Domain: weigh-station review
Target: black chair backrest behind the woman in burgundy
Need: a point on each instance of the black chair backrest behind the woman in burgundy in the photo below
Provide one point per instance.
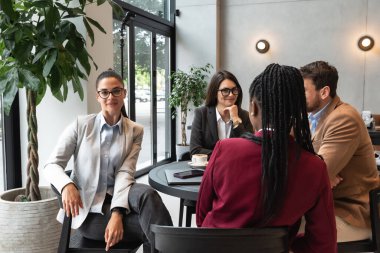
(219, 240)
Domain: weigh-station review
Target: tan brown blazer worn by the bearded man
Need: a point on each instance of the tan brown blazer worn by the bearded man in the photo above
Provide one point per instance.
(342, 139)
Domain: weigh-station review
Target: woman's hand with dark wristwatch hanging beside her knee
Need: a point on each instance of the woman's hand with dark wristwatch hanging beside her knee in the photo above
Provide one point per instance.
(114, 230)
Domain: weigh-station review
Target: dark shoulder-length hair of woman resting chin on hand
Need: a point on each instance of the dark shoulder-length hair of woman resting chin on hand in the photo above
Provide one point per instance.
(213, 87)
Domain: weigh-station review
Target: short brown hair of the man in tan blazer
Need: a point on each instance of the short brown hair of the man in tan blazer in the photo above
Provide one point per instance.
(322, 74)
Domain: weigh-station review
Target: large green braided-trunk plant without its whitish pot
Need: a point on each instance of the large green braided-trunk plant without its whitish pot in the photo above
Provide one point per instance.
(41, 48)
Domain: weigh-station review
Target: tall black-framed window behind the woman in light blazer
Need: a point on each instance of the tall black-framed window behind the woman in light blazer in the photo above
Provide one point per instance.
(145, 62)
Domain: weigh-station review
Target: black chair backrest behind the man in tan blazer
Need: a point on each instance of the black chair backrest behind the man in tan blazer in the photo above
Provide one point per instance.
(374, 201)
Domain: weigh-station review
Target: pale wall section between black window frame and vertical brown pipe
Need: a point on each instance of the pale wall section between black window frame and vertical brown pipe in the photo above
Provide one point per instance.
(197, 40)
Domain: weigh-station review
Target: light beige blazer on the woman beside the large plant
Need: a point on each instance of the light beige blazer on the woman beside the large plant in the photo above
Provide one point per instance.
(81, 139)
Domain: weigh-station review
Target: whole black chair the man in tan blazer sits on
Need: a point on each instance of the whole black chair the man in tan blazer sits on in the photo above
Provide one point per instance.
(369, 245)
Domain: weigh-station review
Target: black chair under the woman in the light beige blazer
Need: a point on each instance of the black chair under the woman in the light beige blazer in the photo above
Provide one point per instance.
(78, 243)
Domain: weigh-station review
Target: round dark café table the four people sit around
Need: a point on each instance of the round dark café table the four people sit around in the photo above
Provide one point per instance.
(188, 194)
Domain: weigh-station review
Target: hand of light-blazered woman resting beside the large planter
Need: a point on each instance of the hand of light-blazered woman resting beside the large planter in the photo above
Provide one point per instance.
(71, 200)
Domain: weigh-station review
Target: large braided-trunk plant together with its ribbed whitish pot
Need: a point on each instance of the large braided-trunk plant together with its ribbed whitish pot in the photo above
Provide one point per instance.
(40, 48)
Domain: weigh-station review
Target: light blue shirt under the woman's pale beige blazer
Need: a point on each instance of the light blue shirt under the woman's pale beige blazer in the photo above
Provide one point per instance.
(110, 155)
